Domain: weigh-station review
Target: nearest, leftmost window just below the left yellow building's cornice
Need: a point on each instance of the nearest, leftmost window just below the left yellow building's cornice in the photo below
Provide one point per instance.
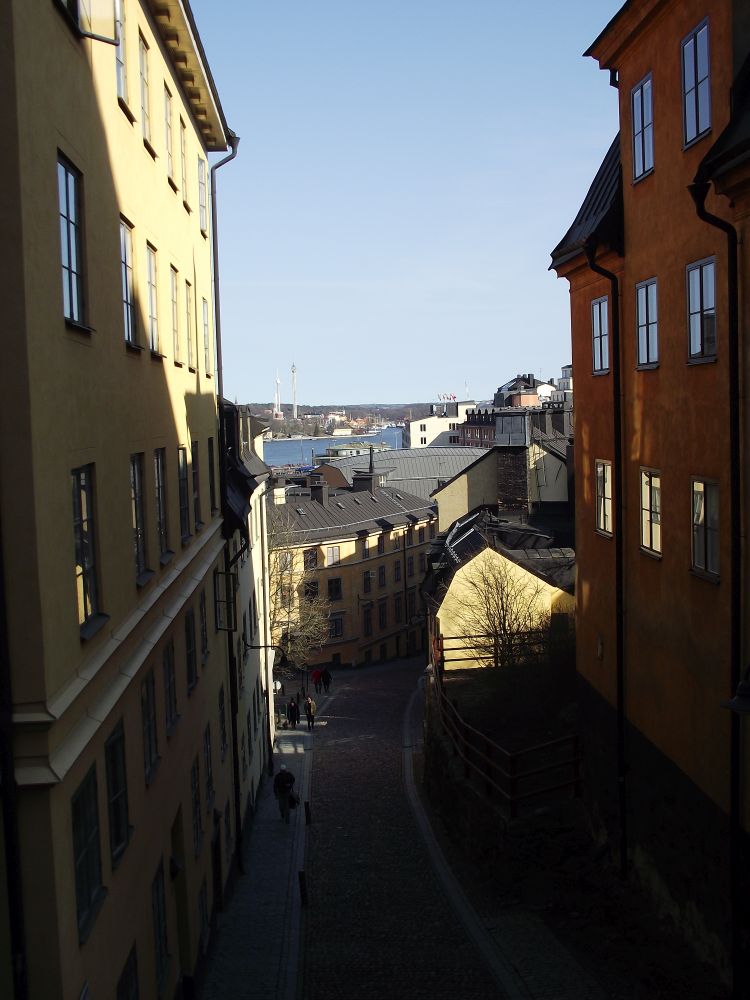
(87, 852)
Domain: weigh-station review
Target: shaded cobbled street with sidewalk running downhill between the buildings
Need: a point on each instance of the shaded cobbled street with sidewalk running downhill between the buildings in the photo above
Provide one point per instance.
(384, 916)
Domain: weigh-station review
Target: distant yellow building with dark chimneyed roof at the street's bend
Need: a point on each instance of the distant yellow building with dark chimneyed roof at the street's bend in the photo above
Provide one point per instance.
(364, 548)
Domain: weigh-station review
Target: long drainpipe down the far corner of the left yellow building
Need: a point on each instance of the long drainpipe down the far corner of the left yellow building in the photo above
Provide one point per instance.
(234, 142)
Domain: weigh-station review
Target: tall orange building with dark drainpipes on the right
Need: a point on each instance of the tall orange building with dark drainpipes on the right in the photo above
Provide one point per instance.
(651, 261)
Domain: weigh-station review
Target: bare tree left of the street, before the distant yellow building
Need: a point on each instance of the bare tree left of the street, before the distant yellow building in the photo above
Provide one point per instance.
(299, 613)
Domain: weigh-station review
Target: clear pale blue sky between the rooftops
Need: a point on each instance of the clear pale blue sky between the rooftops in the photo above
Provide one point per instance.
(405, 169)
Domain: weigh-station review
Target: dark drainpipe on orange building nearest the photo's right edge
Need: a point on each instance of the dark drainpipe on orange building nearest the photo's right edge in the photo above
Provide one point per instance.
(699, 191)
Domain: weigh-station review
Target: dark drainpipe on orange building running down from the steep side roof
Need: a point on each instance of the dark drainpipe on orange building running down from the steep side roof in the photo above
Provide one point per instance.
(590, 250)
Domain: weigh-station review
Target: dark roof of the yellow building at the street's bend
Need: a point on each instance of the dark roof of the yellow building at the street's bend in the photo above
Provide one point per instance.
(352, 513)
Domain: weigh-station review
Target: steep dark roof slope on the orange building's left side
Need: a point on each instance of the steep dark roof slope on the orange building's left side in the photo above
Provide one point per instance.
(600, 216)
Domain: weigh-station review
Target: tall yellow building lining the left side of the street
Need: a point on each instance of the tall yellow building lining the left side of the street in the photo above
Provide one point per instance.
(119, 828)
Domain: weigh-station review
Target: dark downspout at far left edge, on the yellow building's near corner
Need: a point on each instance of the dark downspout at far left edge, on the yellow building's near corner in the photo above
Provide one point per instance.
(10, 808)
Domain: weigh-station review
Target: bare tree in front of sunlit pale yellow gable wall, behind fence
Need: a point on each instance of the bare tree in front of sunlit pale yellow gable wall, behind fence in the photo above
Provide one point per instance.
(501, 614)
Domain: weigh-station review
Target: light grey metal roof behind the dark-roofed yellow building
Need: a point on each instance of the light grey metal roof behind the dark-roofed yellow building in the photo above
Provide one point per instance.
(418, 471)
